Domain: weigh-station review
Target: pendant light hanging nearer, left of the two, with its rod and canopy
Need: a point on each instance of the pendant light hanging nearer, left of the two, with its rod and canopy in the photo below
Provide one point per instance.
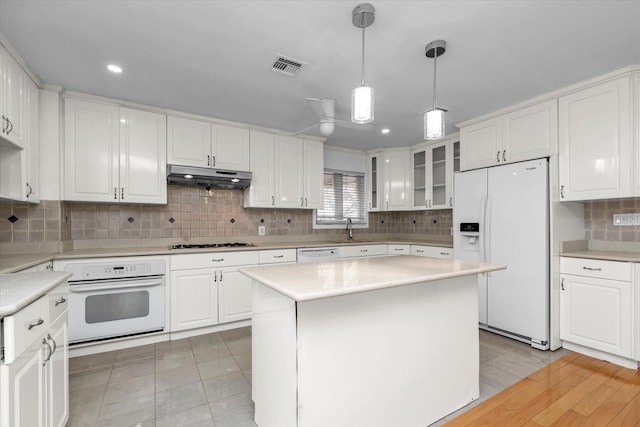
(362, 16)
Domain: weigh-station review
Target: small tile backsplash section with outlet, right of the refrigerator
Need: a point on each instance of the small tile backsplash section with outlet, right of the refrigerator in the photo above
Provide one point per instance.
(598, 220)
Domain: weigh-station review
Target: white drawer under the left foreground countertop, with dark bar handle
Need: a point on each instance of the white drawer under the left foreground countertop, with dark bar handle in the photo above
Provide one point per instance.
(25, 327)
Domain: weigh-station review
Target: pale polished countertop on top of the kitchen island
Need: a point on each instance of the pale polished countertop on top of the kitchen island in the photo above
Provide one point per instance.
(305, 282)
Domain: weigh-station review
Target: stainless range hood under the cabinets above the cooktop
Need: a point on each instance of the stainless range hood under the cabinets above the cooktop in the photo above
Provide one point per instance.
(207, 178)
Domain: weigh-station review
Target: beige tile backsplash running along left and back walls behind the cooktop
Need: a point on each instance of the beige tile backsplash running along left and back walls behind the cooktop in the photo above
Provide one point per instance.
(189, 214)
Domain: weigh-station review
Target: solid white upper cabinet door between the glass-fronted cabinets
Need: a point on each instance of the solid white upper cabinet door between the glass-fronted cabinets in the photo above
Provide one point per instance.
(397, 180)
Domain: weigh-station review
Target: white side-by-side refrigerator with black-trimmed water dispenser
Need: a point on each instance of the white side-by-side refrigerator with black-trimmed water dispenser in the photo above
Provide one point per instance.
(501, 216)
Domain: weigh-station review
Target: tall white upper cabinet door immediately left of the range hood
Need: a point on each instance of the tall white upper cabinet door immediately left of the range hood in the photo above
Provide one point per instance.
(143, 157)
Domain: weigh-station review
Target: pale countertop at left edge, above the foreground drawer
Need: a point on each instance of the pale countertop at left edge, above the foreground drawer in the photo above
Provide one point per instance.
(20, 289)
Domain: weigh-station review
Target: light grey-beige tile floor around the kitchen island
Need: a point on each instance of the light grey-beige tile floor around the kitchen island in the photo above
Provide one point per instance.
(206, 381)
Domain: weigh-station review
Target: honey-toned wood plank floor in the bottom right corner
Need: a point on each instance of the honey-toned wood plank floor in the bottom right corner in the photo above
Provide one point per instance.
(576, 391)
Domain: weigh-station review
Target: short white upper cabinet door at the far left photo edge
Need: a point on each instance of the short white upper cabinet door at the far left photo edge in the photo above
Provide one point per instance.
(14, 100)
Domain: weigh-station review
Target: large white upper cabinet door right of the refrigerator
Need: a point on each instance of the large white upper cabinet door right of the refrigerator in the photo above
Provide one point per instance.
(595, 142)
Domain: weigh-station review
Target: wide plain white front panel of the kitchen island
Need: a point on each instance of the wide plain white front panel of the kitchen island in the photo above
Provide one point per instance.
(404, 356)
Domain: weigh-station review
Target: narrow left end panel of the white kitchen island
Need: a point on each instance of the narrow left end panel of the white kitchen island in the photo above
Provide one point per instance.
(273, 341)
